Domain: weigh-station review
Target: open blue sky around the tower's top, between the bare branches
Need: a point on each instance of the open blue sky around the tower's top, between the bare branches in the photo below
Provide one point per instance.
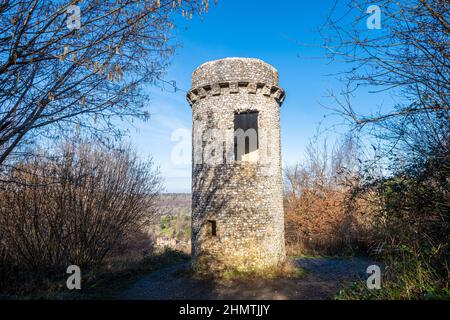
(268, 30)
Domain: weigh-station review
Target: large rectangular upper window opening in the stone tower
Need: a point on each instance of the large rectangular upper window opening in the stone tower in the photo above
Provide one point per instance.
(246, 136)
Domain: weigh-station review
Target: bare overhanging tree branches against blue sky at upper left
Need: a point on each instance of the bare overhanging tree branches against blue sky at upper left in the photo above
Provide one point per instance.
(79, 64)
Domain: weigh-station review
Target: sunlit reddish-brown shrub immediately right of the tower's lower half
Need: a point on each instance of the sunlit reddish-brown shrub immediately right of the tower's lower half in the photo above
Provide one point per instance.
(321, 215)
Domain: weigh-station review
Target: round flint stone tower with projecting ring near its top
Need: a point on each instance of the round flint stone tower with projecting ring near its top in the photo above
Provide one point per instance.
(237, 200)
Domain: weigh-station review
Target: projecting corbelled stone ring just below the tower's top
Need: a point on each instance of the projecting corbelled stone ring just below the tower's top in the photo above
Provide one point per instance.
(235, 87)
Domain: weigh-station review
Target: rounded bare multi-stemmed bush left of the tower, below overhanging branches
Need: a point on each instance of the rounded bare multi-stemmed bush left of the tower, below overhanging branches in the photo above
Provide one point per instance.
(75, 204)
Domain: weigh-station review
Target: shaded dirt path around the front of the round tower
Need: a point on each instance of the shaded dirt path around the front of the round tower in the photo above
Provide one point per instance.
(323, 278)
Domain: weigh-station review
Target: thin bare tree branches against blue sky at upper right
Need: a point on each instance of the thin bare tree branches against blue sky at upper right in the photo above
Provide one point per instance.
(409, 57)
